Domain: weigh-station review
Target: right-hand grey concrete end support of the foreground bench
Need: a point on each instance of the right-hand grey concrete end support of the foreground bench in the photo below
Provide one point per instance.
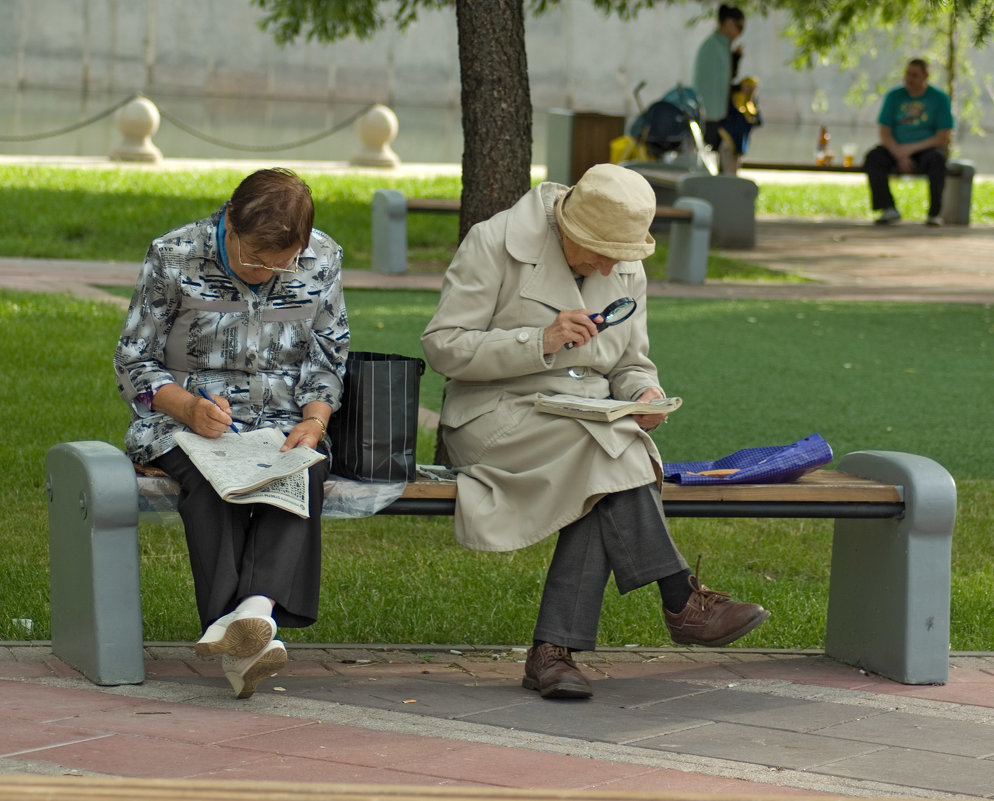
(888, 607)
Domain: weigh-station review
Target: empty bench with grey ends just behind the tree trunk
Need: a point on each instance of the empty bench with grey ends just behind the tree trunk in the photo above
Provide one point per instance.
(686, 261)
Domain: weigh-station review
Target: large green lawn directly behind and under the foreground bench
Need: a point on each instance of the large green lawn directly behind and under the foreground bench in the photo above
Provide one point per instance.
(863, 375)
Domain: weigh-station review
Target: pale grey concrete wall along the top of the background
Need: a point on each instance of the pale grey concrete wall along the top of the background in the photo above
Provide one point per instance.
(577, 58)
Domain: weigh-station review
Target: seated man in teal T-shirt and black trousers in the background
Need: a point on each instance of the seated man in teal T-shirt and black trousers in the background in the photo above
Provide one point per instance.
(916, 123)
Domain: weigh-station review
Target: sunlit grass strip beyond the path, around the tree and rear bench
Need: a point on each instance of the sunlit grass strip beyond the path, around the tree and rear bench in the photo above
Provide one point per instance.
(112, 214)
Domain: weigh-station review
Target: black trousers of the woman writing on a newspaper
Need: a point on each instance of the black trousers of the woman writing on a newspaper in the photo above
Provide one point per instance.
(237, 550)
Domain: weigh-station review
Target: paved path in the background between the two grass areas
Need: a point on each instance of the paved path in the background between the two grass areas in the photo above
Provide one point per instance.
(842, 260)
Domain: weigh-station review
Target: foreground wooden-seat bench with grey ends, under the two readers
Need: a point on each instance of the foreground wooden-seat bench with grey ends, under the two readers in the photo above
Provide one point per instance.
(889, 593)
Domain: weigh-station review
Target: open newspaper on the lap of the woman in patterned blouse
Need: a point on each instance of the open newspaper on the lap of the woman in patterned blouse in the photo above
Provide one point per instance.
(249, 468)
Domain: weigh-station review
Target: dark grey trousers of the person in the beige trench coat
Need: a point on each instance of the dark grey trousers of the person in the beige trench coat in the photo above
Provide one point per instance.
(625, 533)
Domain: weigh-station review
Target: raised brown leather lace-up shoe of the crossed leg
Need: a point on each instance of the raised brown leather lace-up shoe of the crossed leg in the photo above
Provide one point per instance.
(711, 618)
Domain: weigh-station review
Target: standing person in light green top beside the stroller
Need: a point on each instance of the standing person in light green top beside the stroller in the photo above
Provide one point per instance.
(714, 70)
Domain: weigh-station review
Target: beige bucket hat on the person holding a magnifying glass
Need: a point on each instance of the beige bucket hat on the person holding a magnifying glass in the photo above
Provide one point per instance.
(609, 212)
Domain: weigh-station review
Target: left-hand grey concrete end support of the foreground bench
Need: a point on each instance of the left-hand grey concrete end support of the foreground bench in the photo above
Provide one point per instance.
(93, 552)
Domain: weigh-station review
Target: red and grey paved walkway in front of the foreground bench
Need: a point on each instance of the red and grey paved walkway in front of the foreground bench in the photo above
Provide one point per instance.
(681, 721)
